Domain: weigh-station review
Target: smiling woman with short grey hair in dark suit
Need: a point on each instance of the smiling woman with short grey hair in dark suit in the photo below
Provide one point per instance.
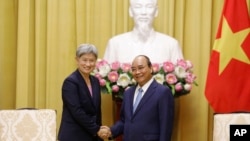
(81, 116)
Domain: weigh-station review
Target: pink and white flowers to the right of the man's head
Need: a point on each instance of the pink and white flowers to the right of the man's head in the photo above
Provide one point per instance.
(178, 77)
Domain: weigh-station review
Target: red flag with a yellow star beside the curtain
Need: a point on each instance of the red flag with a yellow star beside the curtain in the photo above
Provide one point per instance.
(228, 79)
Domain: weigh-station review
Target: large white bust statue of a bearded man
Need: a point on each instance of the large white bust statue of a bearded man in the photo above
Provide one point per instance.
(143, 39)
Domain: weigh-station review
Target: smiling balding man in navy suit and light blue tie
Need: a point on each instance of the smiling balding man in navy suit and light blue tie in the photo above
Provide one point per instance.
(152, 120)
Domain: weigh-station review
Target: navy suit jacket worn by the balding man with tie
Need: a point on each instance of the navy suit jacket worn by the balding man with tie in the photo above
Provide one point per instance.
(153, 118)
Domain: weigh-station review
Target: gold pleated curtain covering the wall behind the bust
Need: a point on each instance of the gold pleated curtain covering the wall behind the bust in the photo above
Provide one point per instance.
(38, 39)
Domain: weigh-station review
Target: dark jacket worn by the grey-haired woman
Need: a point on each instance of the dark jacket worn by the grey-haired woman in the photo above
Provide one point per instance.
(81, 116)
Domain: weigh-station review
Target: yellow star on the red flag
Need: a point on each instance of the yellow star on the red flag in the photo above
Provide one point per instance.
(229, 45)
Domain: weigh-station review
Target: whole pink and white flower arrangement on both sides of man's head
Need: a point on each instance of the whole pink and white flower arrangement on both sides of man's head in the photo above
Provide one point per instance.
(116, 77)
